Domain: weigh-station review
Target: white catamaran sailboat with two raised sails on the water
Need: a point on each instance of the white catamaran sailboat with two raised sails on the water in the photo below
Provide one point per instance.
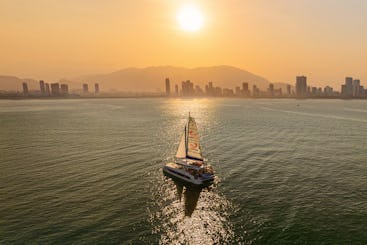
(189, 166)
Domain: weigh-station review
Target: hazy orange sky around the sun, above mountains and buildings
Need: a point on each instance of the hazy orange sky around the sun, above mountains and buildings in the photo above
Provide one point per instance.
(278, 39)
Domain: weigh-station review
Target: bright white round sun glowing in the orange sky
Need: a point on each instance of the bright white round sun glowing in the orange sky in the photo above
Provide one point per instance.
(190, 18)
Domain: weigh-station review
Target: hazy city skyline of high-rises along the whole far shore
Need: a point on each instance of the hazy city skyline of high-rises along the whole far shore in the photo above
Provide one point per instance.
(351, 89)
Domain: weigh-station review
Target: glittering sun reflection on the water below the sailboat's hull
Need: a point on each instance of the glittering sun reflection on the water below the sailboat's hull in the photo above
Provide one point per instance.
(191, 217)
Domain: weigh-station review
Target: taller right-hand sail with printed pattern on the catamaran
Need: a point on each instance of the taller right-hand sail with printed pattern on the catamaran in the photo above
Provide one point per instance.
(193, 144)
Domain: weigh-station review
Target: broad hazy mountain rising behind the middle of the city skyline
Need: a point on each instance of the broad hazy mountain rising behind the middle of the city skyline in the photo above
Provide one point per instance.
(152, 78)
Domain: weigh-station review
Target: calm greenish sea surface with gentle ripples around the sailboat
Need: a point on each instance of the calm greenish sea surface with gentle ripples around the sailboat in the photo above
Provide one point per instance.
(90, 171)
